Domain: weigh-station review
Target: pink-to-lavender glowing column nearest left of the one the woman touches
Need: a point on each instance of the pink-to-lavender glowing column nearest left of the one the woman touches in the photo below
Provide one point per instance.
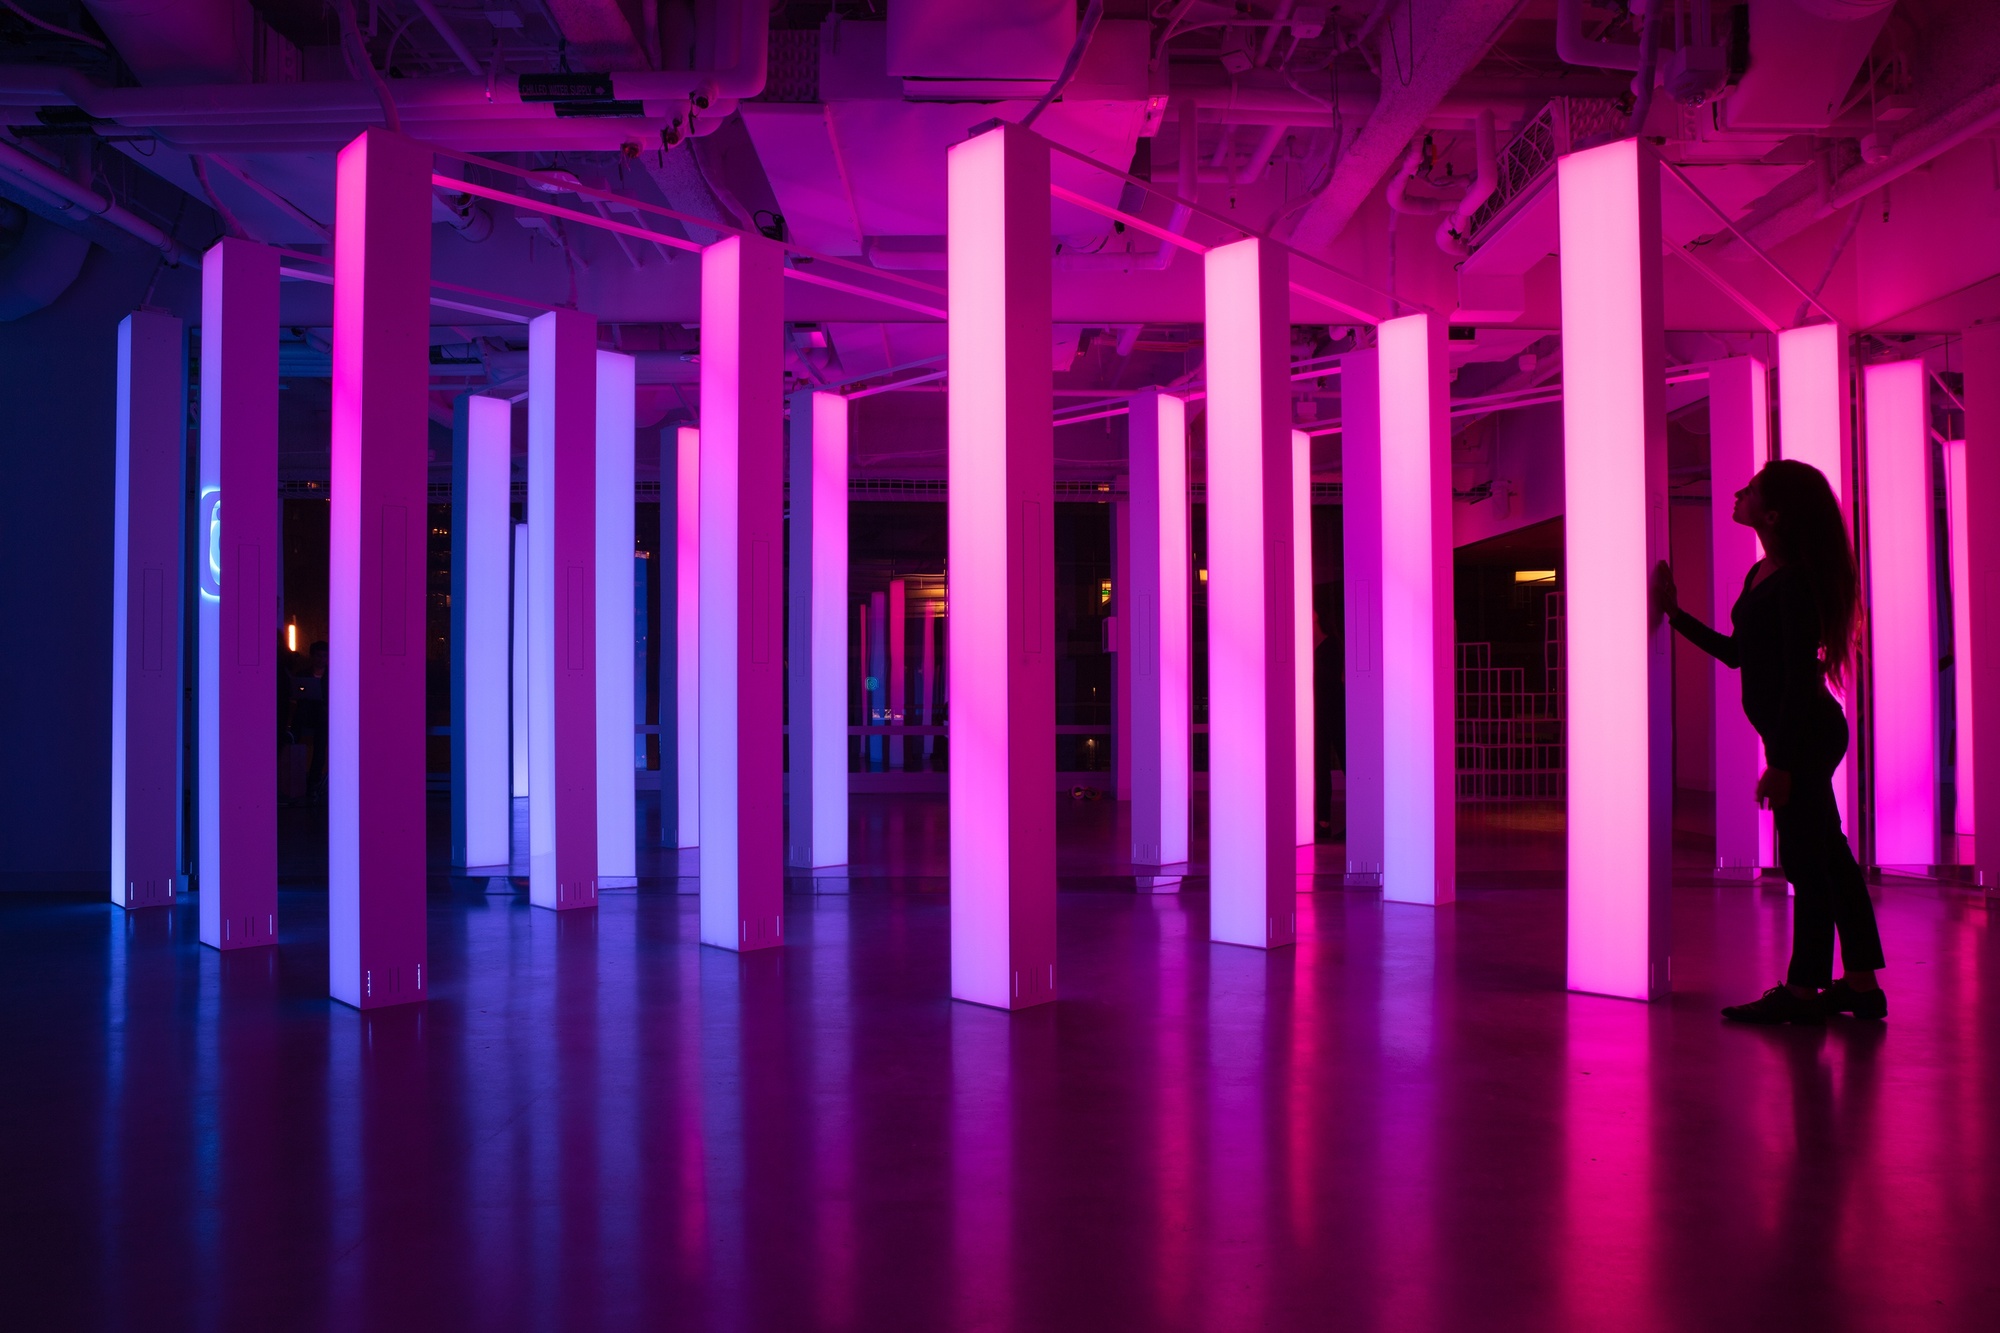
(1419, 772)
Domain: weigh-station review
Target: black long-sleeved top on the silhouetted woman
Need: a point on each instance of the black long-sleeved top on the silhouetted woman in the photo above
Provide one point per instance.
(1777, 647)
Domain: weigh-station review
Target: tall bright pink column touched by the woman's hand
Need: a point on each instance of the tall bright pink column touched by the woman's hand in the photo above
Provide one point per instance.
(1615, 475)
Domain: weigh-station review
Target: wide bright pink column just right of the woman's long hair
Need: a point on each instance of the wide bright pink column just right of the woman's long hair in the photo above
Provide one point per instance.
(1903, 613)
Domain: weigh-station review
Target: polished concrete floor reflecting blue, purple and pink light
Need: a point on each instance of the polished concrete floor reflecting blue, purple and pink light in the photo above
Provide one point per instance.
(1401, 1124)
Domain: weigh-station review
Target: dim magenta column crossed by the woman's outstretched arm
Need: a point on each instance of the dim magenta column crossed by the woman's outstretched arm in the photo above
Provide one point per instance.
(1739, 443)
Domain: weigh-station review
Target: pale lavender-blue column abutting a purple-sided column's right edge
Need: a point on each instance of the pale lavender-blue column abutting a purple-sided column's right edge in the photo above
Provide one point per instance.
(615, 613)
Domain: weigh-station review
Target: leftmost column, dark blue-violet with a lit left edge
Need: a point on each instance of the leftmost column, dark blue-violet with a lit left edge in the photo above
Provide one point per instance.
(147, 561)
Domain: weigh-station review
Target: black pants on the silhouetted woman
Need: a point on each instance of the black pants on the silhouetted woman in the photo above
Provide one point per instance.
(1827, 884)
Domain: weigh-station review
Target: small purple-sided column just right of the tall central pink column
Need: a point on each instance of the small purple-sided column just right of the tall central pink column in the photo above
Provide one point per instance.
(1157, 601)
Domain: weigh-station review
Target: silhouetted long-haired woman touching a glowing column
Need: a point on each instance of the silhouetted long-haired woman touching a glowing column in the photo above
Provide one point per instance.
(1795, 629)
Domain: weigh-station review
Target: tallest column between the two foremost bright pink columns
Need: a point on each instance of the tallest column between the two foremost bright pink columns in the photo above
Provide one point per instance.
(1253, 639)
